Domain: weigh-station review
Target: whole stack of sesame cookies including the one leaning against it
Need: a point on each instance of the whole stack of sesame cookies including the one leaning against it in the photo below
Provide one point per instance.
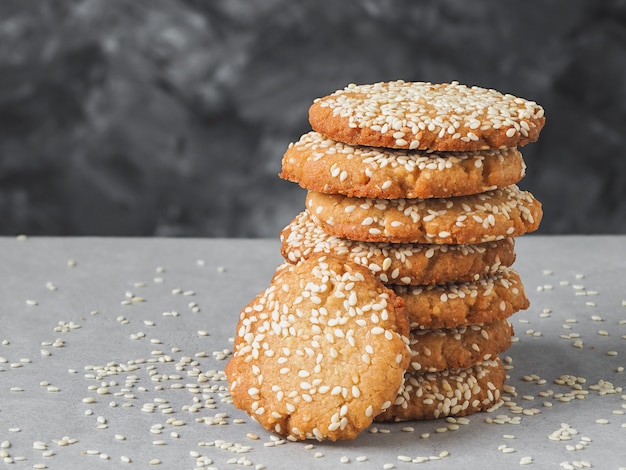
(414, 187)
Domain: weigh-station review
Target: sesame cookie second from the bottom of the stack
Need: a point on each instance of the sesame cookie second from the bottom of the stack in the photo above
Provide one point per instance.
(438, 349)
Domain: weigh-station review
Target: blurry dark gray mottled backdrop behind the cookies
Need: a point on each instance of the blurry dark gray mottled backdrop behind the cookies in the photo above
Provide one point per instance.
(170, 117)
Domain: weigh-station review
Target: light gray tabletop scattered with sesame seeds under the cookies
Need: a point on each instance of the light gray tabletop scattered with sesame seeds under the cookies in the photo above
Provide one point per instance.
(114, 348)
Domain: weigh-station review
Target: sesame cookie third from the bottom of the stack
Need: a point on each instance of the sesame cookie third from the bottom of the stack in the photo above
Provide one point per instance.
(494, 297)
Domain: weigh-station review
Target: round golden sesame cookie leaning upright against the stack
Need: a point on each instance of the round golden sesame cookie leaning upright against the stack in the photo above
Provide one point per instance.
(320, 352)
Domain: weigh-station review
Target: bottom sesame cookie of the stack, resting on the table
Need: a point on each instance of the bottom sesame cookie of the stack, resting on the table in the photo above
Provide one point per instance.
(451, 392)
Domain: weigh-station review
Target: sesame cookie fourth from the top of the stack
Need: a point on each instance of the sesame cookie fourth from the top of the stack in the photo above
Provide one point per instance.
(399, 263)
